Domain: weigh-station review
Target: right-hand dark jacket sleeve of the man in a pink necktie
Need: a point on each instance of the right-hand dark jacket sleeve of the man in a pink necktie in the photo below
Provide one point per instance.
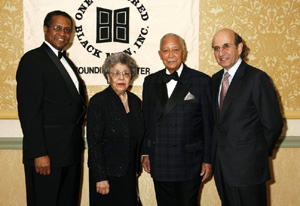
(266, 102)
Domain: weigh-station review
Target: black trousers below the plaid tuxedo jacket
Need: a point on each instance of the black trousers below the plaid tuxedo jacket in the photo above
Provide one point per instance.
(181, 193)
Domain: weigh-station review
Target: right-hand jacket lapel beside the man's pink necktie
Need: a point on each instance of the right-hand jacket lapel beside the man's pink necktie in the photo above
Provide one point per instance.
(234, 86)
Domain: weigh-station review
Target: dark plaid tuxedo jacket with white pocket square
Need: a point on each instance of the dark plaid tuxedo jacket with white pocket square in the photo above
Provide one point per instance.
(179, 128)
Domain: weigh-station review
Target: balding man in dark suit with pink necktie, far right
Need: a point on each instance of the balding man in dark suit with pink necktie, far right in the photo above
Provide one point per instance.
(247, 124)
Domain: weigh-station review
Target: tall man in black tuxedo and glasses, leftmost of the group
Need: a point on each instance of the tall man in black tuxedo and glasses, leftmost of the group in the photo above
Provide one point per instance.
(51, 105)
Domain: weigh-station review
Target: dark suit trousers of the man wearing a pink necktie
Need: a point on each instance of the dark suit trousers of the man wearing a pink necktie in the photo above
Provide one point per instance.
(238, 195)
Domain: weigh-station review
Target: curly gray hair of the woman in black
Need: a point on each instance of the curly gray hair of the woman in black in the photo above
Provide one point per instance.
(116, 58)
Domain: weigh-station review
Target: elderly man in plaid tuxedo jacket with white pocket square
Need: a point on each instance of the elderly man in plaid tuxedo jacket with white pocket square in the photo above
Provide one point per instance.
(178, 120)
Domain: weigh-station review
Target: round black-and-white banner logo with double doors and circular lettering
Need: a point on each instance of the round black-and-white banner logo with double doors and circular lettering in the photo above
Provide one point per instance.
(111, 31)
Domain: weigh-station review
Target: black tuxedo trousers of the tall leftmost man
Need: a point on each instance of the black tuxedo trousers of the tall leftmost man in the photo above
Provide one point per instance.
(60, 188)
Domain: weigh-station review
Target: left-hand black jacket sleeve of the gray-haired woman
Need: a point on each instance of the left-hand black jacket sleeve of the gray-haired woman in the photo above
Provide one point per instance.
(95, 129)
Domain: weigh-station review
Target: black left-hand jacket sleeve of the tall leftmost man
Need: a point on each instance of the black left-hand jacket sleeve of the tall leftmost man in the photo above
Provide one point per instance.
(30, 92)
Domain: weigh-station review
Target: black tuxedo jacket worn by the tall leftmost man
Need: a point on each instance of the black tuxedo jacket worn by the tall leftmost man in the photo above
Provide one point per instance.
(51, 110)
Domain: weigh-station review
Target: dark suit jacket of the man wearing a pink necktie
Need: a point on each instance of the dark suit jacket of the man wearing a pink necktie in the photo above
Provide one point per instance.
(247, 128)
